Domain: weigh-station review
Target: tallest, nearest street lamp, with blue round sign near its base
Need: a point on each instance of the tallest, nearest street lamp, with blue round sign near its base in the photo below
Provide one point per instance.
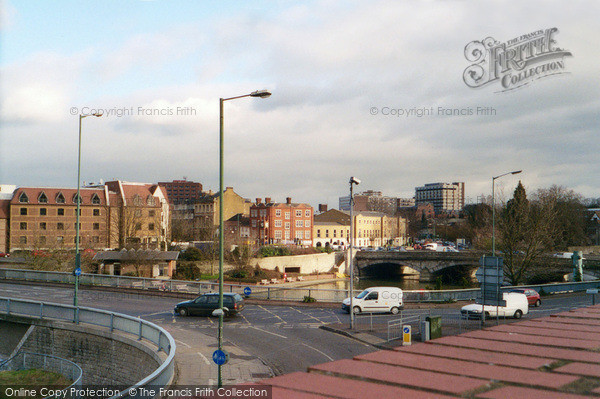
(261, 94)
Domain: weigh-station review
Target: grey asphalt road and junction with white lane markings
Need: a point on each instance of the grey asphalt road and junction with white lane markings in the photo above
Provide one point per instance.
(286, 338)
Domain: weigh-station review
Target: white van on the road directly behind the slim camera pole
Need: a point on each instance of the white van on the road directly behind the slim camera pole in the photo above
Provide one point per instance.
(376, 300)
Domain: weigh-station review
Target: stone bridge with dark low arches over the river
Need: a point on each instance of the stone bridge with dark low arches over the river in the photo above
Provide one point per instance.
(423, 265)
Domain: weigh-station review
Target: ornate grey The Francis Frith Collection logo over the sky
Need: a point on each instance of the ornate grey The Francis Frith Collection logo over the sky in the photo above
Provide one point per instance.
(516, 62)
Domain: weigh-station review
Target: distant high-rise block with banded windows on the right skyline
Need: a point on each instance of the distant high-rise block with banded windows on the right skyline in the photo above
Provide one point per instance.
(447, 198)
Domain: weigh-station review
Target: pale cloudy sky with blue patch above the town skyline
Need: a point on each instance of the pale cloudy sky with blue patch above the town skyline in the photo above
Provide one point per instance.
(341, 72)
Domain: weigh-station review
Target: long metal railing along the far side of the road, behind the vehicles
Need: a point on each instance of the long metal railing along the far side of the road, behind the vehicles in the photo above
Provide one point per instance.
(273, 292)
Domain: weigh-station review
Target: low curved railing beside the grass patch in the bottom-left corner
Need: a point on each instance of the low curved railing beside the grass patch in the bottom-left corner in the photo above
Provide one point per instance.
(64, 367)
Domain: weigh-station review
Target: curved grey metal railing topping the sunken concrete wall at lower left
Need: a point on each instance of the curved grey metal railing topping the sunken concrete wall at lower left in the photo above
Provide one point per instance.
(138, 327)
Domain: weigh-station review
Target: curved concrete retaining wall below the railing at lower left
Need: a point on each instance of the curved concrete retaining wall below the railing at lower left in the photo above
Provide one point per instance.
(105, 358)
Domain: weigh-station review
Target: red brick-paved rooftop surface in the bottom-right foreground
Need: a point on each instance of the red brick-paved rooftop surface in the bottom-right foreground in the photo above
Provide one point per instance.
(551, 357)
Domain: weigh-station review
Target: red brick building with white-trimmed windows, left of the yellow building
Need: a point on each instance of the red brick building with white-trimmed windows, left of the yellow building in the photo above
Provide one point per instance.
(281, 223)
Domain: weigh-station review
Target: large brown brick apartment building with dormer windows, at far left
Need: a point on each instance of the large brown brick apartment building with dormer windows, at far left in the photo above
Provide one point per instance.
(113, 215)
